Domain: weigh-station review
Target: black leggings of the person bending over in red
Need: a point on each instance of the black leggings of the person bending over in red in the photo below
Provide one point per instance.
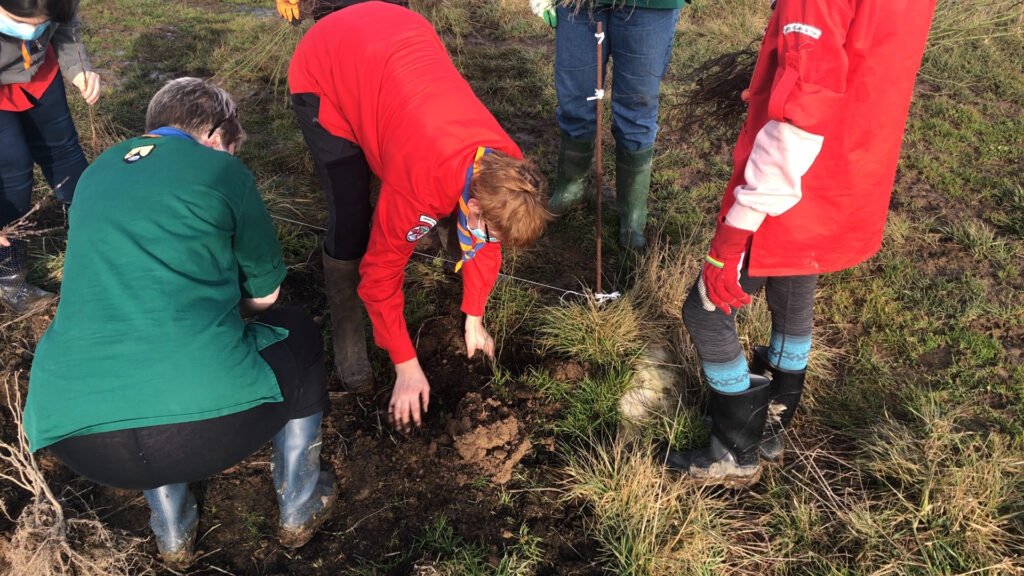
(345, 175)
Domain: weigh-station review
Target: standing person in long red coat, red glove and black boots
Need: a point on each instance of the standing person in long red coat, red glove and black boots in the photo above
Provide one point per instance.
(815, 170)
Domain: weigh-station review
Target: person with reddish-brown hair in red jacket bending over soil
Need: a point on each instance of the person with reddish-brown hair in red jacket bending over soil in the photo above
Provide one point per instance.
(375, 91)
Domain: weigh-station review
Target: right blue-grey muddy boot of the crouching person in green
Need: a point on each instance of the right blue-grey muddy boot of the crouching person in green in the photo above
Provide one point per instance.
(306, 493)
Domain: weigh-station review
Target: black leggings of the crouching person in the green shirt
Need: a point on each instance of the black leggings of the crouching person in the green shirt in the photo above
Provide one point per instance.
(153, 457)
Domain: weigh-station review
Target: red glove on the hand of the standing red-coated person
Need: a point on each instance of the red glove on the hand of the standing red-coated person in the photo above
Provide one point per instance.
(719, 285)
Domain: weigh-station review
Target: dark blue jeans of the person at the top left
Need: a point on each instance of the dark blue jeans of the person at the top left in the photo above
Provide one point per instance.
(44, 135)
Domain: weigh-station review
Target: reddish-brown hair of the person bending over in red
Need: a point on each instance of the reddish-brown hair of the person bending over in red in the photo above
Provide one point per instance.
(514, 199)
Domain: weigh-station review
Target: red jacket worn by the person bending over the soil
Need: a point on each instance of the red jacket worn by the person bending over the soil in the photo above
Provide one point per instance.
(387, 83)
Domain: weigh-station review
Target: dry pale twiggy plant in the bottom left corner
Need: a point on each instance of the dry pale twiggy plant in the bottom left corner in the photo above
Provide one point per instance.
(45, 542)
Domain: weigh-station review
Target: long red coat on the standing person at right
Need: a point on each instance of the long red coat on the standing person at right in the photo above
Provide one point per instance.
(843, 70)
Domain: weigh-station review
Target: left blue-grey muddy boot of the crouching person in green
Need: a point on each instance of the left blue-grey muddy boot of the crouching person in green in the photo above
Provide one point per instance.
(175, 520)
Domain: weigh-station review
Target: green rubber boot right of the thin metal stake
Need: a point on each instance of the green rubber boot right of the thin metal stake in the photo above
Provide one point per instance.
(632, 188)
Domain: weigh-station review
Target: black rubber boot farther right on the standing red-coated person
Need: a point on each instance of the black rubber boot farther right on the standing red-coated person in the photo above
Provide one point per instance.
(787, 389)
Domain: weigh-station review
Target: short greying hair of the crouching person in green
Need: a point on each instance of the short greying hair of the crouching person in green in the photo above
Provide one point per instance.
(197, 107)
